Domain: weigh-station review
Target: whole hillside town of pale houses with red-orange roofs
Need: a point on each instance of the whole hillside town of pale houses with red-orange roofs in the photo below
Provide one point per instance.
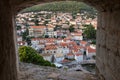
(51, 37)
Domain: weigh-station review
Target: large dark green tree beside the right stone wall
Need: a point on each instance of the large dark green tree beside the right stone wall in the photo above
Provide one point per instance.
(89, 32)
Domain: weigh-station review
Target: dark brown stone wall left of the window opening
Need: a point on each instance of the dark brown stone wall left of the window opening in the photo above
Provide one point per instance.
(7, 46)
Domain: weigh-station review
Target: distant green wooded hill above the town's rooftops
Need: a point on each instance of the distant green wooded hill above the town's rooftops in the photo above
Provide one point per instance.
(63, 6)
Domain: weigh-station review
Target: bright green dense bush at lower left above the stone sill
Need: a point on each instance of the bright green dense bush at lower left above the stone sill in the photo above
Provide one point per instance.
(29, 55)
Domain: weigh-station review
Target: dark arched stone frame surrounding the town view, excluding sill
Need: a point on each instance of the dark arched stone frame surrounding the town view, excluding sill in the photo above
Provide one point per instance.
(108, 43)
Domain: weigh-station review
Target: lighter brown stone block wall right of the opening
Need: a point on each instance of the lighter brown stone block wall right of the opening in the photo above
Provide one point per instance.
(108, 45)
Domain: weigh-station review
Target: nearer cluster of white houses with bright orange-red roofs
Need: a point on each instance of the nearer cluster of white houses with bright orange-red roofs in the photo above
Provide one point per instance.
(63, 50)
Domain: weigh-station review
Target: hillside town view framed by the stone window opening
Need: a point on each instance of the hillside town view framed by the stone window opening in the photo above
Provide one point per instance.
(58, 34)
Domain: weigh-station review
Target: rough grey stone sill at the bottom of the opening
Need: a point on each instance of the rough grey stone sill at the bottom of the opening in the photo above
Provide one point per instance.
(30, 71)
